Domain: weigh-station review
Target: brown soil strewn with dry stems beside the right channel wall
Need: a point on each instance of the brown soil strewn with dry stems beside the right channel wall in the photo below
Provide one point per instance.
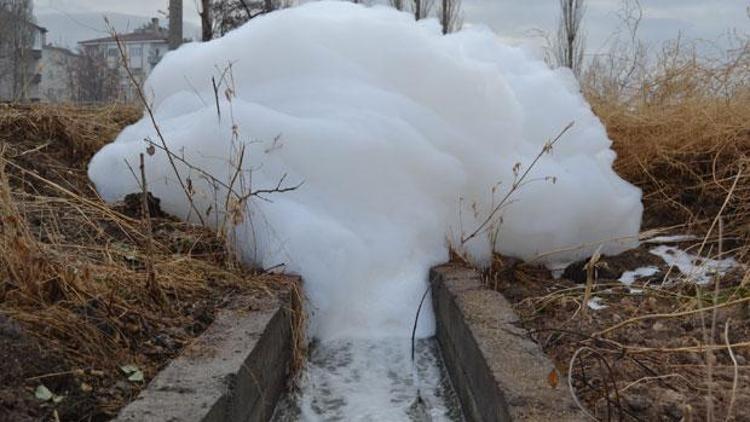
(631, 373)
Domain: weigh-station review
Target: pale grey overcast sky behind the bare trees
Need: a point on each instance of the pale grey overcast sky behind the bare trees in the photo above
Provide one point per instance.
(512, 19)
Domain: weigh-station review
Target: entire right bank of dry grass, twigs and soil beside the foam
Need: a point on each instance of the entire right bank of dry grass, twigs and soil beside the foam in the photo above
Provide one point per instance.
(674, 351)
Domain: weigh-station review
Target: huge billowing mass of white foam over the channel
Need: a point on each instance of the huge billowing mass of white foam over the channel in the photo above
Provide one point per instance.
(399, 134)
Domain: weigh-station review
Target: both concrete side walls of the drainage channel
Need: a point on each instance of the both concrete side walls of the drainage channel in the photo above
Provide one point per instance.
(237, 370)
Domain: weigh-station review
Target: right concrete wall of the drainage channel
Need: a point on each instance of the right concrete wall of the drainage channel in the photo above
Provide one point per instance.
(499, 373)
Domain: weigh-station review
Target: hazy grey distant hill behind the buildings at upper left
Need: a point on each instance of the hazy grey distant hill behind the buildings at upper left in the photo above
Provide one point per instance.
(66, 30)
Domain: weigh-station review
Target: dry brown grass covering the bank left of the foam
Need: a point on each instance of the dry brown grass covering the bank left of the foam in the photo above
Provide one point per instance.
(73, 270)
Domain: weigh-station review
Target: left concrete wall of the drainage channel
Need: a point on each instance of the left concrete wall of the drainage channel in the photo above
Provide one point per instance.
(234, 372)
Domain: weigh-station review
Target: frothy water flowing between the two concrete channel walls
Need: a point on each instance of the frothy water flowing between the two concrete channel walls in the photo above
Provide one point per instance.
(372, 380)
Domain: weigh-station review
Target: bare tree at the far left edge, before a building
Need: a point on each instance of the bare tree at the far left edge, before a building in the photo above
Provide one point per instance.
(17, 36)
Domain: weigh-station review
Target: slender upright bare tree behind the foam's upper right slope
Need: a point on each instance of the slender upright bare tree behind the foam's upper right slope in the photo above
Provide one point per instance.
(570, 43)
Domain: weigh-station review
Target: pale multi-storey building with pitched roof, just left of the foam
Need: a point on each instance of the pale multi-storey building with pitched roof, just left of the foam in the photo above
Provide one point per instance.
(144, 48)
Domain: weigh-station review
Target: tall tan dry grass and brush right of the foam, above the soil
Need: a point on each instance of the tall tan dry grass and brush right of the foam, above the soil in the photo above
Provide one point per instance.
(682, 135)
